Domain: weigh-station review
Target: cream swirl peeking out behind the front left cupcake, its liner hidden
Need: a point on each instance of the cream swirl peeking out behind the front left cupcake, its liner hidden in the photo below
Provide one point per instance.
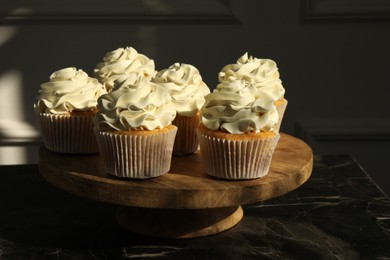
(123, 61)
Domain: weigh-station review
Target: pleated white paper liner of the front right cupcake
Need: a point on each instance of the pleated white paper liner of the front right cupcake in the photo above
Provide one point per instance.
(236, 159)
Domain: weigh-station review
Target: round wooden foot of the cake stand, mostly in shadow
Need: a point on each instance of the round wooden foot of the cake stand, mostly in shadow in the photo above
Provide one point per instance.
(178, 223)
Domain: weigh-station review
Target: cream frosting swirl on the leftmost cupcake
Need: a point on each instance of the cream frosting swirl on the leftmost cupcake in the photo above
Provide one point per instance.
(68, 90)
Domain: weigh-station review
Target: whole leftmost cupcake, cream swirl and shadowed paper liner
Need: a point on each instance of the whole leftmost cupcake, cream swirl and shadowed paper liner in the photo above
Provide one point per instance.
(66, 106)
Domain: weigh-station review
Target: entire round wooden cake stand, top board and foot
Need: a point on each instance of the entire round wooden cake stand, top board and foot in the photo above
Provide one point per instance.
(185, 202)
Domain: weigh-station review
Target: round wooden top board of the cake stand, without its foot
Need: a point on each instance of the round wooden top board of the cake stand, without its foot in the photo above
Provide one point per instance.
(186, 186)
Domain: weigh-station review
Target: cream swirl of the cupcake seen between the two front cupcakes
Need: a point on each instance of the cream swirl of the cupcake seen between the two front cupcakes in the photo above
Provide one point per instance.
(186, 87)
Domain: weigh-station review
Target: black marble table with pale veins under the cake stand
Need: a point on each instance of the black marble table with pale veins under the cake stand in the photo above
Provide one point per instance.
(339, 213)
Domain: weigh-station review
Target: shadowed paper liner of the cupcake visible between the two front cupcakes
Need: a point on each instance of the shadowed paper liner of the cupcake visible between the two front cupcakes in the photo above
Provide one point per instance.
(186, 141)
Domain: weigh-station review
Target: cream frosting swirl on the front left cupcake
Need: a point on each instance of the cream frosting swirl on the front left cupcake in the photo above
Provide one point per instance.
(135, 104)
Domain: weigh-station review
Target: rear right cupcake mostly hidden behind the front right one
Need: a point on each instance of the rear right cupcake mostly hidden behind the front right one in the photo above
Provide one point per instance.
(263, 74)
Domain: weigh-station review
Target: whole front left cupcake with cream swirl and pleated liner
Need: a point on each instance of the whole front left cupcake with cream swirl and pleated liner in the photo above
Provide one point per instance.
(134, 128)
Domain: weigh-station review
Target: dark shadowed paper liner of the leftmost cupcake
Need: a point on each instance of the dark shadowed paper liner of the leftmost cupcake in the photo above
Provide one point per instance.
(68, 133)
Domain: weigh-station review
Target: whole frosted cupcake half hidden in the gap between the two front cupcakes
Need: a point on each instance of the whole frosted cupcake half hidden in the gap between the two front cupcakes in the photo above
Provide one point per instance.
(187, 89)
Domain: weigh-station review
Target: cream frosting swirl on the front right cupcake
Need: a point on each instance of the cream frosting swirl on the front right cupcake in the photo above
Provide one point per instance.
(236, 107)
